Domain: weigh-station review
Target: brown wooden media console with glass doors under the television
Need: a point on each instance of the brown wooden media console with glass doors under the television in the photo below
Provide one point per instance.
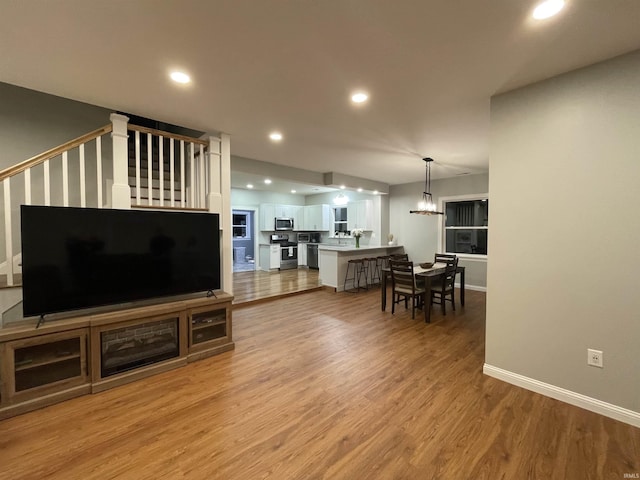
(70, 357)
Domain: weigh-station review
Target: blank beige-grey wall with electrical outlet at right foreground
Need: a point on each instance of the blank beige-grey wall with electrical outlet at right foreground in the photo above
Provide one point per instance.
(564, 262)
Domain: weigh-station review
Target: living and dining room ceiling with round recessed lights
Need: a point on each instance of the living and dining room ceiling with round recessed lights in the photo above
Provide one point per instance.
(429, 66)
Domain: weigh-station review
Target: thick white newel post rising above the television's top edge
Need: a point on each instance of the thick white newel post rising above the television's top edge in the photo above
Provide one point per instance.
(120, 190)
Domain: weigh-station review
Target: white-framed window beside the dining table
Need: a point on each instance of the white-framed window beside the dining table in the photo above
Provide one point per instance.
(466, 226)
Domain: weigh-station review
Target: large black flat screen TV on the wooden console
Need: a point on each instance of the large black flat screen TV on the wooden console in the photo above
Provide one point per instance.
(77, 258)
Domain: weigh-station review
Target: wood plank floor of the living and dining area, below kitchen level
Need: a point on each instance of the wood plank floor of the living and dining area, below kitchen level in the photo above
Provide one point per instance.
(324, 385)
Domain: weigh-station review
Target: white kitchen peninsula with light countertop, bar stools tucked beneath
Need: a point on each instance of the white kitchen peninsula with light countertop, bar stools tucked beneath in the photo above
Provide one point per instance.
(332, 260)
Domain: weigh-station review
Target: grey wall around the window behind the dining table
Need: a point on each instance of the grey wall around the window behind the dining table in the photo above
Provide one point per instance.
(421, 235)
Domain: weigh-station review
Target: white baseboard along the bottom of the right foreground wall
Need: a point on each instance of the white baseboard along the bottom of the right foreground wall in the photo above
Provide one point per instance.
(567, 396)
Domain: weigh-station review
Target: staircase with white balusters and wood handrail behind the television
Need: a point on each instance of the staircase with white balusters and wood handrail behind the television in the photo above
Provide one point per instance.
(138, 167)
